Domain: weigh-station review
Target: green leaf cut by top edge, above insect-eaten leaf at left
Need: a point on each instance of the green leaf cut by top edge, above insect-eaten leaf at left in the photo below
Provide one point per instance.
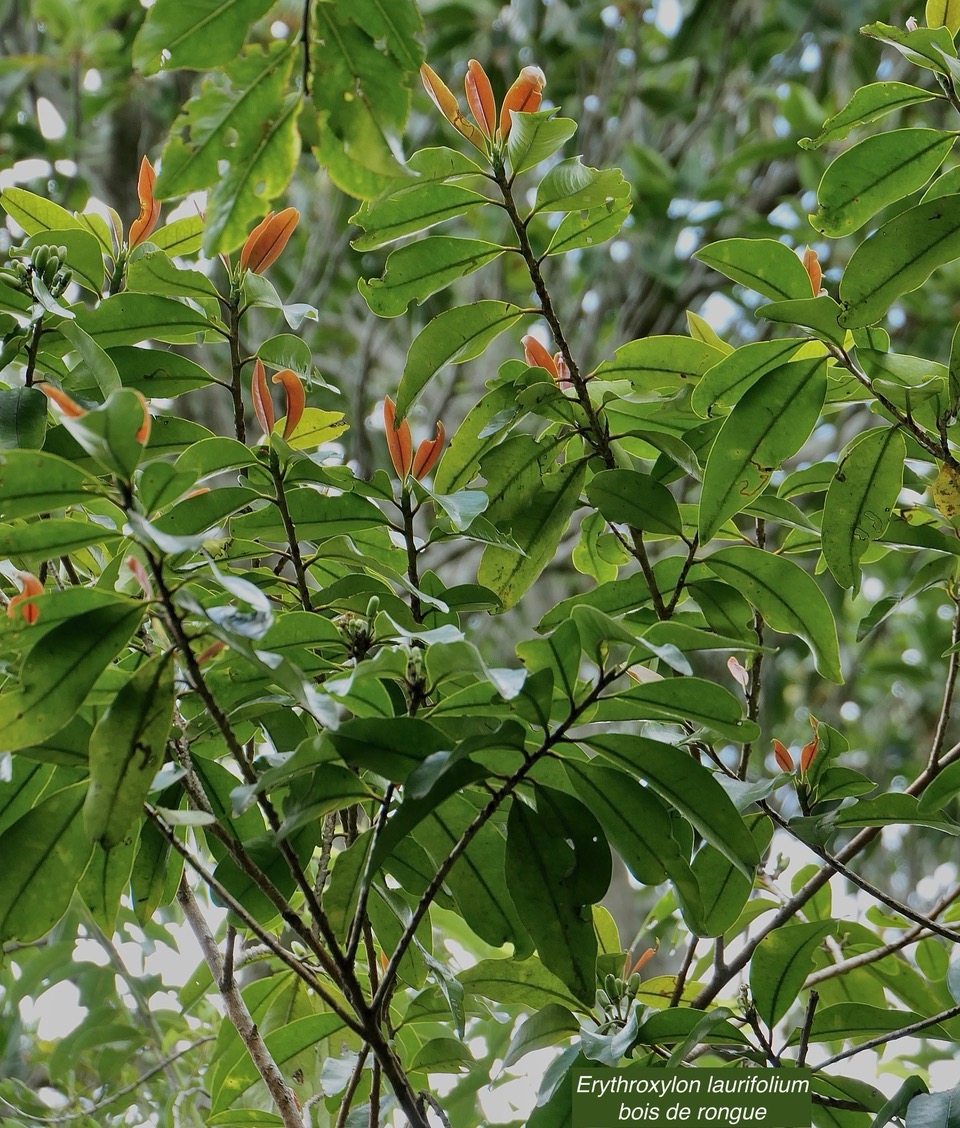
(199, 36)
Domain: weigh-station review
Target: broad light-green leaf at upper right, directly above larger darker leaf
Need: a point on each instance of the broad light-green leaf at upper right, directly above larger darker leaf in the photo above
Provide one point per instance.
(875, 173)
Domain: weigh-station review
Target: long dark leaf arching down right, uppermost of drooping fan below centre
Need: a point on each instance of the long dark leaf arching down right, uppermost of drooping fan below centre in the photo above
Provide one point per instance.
(690, 789)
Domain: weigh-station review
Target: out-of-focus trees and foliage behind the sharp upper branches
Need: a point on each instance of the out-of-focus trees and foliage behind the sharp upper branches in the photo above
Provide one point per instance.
(702, 103)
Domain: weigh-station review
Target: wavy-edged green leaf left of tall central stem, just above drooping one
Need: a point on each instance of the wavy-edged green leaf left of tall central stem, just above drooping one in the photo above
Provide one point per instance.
(420, 269)
